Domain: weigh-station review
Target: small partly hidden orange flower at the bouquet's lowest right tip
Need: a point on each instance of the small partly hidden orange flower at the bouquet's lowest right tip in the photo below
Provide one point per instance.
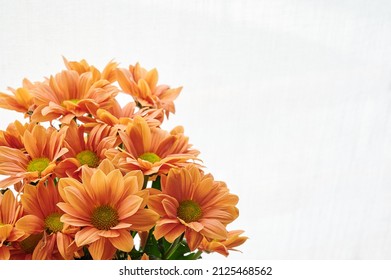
(222, 246)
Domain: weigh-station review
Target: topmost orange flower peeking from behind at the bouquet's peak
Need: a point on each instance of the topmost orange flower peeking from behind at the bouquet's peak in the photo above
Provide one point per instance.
(108, 73)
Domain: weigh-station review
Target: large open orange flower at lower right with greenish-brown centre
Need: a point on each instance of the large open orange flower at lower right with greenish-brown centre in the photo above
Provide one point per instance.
(193, 204)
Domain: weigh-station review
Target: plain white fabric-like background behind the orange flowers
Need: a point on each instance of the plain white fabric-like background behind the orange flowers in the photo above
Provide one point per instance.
(288, 101)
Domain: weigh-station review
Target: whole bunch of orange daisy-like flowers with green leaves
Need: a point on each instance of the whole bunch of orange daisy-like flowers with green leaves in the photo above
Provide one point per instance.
(85, 178)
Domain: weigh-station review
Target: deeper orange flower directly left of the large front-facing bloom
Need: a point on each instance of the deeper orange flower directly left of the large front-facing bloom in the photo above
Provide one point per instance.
(42, 219)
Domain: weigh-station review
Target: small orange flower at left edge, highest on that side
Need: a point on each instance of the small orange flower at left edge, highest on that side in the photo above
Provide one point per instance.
(22, 101)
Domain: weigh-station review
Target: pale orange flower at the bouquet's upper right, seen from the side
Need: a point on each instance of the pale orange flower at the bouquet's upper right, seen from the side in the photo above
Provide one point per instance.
(142, 85)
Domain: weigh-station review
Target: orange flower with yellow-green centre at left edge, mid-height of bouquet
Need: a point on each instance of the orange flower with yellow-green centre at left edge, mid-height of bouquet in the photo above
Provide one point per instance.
(43, 147)
